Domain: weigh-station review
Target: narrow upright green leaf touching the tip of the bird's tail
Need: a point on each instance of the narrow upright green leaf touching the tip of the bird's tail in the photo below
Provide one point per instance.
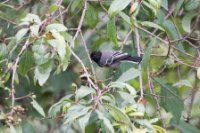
(147, 54)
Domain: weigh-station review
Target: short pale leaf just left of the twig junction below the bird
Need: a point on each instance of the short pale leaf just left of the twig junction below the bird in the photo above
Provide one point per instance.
(83, 91)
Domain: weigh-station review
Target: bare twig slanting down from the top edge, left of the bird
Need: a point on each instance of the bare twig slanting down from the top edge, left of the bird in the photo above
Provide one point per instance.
(81, 20)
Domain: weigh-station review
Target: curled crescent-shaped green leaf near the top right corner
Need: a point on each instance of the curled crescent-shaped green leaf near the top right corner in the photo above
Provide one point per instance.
(186, 21)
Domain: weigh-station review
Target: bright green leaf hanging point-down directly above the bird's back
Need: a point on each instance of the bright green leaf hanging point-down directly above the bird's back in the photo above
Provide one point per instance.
(112, 31)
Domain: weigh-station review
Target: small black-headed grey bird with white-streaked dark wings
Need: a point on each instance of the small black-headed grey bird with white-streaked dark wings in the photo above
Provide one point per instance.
(113, 58)
